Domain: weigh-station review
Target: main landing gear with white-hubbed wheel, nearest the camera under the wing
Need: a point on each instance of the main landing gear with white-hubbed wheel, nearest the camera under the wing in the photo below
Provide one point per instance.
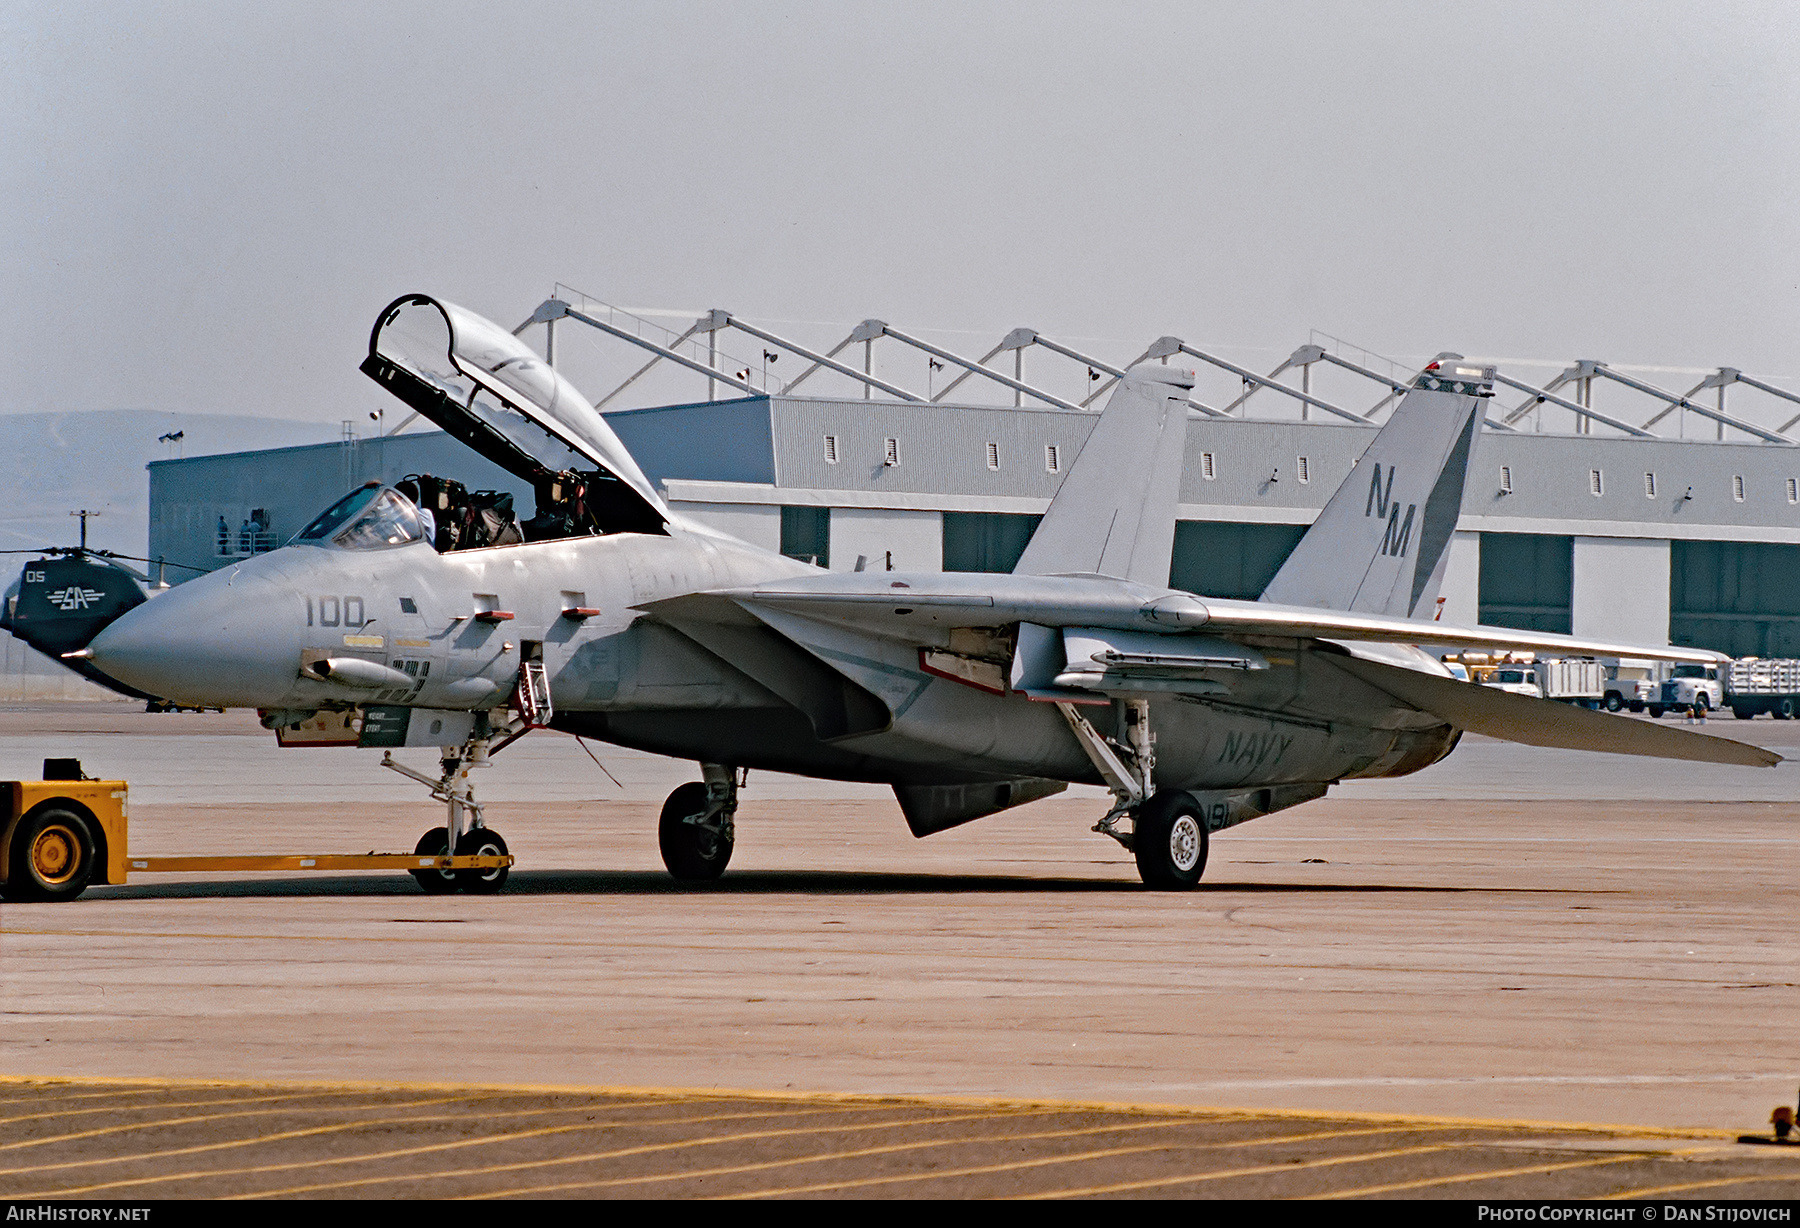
(1169, 835)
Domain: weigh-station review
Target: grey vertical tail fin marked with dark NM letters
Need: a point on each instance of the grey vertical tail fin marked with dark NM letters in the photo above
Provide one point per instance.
(1381, 543)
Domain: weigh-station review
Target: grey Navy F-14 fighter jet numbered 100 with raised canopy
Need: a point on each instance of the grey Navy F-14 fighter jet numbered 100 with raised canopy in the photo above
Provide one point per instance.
(609, 617)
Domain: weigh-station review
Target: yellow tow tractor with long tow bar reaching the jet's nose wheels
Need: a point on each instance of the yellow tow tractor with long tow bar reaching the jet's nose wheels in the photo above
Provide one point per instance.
(67, 831)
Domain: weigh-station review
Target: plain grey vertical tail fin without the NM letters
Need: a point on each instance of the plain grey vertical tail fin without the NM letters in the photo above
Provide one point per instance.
(1115, 514)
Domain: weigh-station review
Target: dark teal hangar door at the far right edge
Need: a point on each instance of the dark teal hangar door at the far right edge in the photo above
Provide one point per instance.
(1736, 597)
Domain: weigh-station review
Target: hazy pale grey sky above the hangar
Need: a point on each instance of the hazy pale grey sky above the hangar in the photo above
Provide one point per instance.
(204, 206)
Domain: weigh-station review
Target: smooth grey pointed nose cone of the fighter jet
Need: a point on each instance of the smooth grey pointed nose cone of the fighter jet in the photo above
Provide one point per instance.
(217, 642)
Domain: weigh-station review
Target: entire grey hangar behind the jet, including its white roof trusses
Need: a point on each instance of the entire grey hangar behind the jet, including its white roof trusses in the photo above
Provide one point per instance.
(1578, 518)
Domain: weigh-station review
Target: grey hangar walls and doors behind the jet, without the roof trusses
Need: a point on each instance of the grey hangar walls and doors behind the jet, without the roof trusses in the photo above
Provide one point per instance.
(1635, 539)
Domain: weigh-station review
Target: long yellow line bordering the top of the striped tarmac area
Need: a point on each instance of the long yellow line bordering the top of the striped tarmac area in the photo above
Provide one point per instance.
(917, 1099)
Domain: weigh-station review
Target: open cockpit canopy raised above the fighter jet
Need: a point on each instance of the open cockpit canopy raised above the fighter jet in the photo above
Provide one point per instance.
(494, 393)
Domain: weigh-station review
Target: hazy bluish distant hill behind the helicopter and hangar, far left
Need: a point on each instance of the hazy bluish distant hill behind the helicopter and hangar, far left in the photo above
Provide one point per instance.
(57, 464)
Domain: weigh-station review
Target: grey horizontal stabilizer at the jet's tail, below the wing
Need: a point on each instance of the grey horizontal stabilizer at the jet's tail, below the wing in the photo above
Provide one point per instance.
(1547, 723)
